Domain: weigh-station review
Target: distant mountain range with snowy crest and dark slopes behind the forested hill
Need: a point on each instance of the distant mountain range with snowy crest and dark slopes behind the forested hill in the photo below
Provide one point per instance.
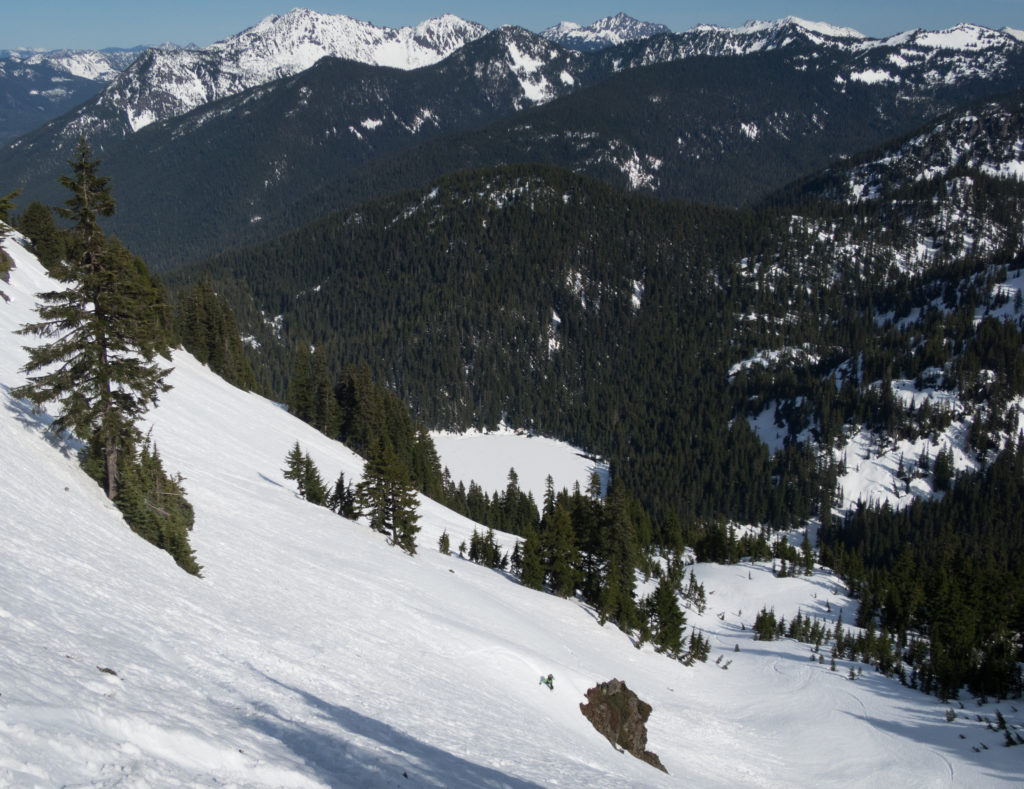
(713, 115)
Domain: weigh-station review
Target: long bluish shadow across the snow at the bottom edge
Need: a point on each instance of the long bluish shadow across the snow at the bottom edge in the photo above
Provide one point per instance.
(390, 759)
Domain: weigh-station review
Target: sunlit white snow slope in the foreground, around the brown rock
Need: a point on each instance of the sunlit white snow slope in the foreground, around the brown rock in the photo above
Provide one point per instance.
(314, 654)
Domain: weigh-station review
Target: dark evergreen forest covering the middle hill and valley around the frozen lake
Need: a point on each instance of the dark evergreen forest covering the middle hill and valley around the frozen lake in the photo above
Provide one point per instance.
(538, 298)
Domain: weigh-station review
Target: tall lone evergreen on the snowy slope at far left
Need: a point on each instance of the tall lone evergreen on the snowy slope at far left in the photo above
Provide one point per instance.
(101, 366)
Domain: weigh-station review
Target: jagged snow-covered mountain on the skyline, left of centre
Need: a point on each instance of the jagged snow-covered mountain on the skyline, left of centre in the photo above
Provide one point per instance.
(170, 82)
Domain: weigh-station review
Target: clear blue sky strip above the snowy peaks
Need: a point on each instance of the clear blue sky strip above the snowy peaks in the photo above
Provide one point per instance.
(98, 24)
